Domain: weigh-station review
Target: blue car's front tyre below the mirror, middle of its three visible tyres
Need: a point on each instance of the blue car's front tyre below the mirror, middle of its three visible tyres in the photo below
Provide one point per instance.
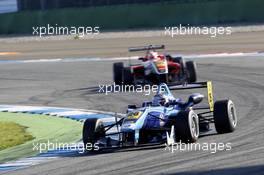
(186, 126)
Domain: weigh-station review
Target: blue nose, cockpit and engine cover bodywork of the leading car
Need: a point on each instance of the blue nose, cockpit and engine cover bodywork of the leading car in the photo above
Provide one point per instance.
(154, 116)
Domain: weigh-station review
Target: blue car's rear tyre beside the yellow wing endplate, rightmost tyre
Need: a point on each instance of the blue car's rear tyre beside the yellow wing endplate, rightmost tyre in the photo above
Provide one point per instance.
(225, 118)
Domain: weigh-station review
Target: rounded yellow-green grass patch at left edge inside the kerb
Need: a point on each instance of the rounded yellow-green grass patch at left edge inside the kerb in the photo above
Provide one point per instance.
(12, 134)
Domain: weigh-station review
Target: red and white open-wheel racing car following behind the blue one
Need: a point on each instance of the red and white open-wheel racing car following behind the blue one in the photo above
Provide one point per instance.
(155, 68)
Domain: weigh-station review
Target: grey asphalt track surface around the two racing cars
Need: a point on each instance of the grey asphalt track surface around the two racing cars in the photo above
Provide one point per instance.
(67, 85)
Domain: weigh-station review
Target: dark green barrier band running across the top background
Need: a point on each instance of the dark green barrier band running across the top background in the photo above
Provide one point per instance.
(138, 15)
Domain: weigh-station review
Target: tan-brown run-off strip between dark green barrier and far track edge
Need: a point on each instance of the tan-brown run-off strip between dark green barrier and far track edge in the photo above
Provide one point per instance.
(116, 44)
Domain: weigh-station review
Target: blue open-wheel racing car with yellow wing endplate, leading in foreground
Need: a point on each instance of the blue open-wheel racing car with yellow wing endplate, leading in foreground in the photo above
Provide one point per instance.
(150, 123)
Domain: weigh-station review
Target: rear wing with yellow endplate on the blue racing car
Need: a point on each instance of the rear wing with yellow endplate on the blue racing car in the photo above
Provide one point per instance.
(208, 85)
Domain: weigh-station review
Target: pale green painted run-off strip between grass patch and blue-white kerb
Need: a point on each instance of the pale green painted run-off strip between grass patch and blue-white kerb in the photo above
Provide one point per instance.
(42, 128)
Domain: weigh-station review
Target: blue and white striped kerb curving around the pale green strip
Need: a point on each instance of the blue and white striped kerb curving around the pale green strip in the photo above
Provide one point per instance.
(52, 154)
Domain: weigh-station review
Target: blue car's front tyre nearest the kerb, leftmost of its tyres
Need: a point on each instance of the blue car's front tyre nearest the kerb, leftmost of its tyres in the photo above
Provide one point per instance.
(93, 129)
